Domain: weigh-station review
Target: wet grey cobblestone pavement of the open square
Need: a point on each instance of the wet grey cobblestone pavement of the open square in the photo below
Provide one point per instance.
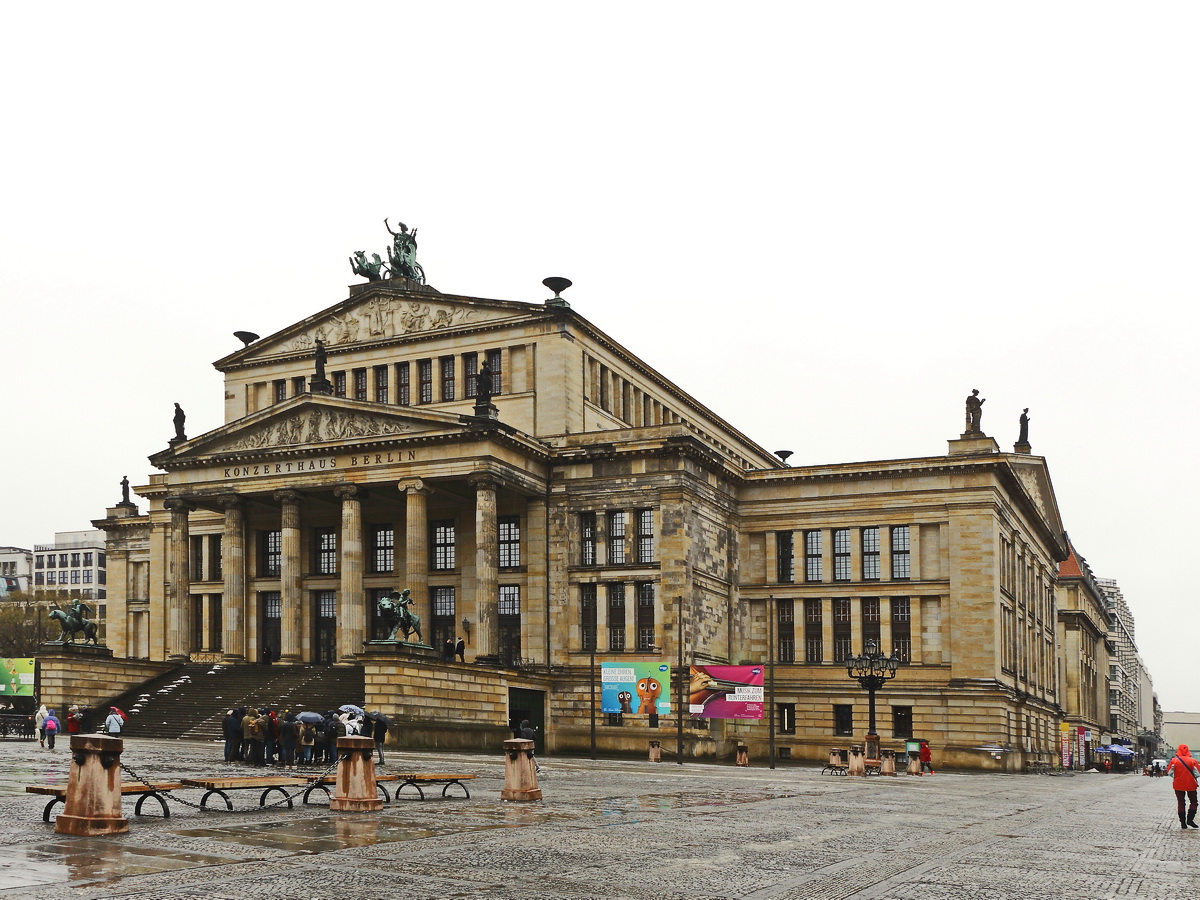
(615, 830)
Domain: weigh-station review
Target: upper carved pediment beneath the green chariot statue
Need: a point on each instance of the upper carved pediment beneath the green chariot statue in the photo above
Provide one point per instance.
(381, 314)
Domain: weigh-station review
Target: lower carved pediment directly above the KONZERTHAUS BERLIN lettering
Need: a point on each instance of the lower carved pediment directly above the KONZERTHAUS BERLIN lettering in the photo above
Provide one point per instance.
(311, 421)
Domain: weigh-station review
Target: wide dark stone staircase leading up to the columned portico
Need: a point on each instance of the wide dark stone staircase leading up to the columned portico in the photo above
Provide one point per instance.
(191, 701)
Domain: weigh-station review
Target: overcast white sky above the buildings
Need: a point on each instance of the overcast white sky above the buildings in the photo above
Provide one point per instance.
(827, 221)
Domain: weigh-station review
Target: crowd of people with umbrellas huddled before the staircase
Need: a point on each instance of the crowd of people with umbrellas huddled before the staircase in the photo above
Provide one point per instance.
(265, 737)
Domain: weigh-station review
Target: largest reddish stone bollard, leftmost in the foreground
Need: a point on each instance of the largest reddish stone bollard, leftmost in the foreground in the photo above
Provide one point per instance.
(94, 788)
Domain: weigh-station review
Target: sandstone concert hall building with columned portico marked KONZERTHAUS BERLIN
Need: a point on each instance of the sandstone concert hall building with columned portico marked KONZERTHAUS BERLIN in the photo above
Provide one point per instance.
(579, 509)
